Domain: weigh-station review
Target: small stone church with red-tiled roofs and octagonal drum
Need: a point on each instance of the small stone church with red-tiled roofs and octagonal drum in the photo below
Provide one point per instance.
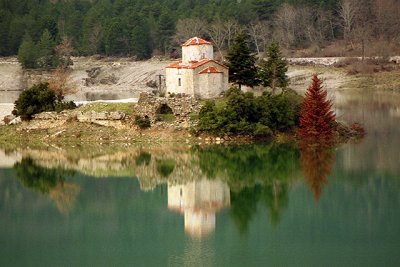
(197, 74)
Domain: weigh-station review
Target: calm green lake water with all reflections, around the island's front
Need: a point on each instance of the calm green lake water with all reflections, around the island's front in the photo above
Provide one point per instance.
(254, 205)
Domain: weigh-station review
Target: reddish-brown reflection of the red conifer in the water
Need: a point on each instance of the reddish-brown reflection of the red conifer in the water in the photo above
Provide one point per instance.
(317, 160)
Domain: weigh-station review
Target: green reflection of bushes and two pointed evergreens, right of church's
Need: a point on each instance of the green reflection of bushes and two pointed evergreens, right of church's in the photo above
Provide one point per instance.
(255, 174)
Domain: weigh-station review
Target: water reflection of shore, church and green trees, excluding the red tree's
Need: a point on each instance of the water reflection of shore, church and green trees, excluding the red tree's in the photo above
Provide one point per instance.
(201, 181)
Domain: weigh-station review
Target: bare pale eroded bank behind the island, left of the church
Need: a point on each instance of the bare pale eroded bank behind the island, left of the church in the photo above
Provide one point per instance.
(111, 78)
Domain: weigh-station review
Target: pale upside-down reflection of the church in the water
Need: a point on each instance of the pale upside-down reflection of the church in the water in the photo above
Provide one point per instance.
(199, 201)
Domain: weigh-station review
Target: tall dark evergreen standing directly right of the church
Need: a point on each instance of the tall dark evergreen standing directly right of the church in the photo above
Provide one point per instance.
(241, 63)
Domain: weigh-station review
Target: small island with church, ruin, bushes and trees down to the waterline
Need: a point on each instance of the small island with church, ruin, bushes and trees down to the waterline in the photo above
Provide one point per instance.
(196, 105)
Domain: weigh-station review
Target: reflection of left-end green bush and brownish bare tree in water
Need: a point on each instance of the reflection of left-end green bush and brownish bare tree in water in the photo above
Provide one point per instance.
(48, 181)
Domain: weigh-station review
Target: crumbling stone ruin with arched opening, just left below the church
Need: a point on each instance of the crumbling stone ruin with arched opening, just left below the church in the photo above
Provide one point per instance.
(182, 106)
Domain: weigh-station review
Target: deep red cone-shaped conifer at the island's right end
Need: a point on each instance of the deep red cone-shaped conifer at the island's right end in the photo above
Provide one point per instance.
(316, 115)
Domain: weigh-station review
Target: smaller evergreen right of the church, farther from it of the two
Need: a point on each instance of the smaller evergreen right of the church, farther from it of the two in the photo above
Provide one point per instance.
(272, 71)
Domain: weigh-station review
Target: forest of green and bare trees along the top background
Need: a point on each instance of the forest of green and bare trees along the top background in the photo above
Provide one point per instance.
(142, 29)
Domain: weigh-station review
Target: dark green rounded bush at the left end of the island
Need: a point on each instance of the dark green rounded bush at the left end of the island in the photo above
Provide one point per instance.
(39, 98)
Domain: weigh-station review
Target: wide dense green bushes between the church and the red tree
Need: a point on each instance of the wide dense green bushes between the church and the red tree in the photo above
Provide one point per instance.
(242, 113)
